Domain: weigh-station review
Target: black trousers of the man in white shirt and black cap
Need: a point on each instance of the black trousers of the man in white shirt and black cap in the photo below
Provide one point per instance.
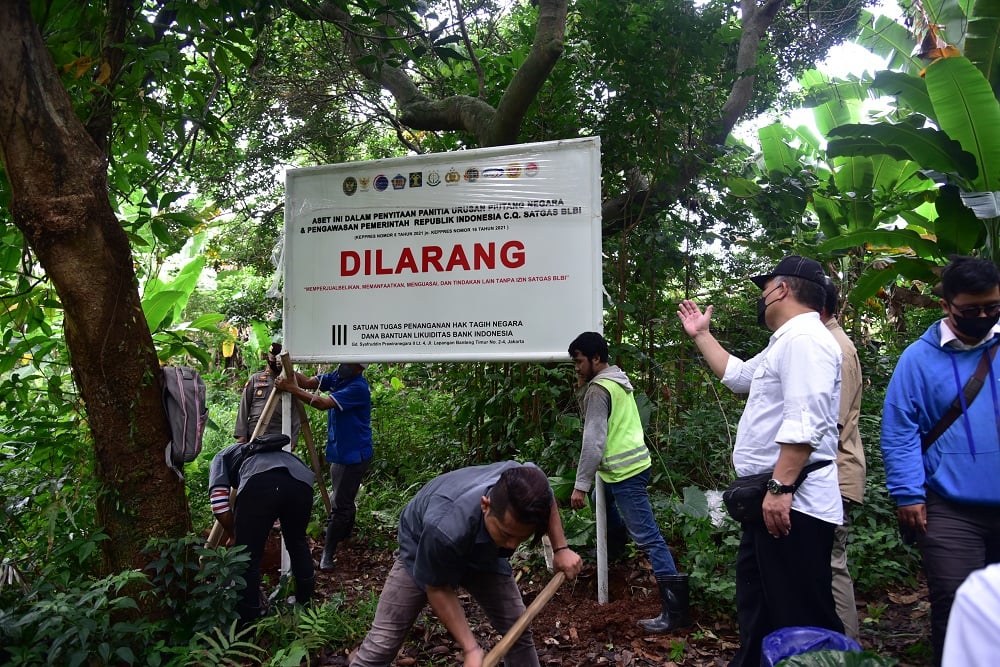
(783, 582)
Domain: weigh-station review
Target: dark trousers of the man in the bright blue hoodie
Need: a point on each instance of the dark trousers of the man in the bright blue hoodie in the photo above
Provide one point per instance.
(959, 540)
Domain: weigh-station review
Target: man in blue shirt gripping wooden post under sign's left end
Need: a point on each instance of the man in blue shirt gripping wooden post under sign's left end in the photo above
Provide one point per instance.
(349, 449)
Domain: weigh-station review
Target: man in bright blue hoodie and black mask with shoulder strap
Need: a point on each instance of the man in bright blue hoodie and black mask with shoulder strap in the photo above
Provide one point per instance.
(947, 492)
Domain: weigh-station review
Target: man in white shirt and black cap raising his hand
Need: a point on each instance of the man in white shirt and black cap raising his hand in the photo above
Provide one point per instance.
(790, 421)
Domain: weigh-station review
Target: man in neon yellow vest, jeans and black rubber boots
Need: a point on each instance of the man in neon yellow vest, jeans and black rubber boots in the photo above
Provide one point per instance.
(615, 448)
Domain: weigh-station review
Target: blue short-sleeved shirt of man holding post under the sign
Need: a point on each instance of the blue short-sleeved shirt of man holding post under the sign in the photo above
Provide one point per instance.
(349, 427)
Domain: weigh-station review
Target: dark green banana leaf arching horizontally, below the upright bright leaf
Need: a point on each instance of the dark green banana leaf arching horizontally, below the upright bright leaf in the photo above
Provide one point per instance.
(930, 148)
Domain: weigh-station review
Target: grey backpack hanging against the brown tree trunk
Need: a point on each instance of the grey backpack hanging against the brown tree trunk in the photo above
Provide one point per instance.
(185, 403)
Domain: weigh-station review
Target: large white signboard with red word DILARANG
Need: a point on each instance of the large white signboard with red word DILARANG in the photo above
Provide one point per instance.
(481, 255)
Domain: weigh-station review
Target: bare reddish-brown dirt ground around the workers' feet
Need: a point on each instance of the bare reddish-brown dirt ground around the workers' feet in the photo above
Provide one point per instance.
(574, 630)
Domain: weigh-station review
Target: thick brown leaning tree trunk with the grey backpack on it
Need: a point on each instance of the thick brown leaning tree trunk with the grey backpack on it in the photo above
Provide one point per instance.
(59, 201)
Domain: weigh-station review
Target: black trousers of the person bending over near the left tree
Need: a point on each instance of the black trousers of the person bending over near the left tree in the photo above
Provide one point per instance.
(266, 497)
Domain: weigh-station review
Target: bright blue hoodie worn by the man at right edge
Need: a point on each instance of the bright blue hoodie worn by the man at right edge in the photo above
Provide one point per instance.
(963, 464)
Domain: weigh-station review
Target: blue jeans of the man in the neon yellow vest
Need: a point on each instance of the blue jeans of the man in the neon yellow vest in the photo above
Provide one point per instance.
(628, 505)
